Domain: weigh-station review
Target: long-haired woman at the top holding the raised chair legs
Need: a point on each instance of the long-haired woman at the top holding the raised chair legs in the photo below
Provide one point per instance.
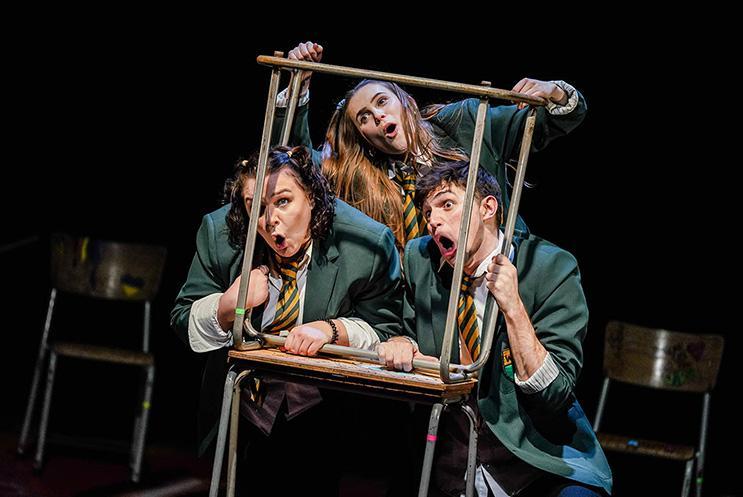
(378, 141)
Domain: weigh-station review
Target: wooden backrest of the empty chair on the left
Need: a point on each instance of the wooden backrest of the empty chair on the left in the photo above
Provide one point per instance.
(104, 269)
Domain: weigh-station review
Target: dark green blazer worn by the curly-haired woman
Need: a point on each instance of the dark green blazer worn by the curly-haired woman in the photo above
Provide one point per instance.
(354, 272)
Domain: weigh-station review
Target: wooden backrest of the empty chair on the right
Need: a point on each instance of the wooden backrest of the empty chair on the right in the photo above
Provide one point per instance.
(662, 359)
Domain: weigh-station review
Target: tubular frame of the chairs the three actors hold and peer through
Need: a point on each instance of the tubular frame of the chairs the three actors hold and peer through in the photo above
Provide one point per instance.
(449, 373)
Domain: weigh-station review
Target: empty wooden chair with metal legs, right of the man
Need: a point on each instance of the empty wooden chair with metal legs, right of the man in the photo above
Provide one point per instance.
(665, 360)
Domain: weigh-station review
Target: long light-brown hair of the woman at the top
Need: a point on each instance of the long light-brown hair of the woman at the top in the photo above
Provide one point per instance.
(358, 172)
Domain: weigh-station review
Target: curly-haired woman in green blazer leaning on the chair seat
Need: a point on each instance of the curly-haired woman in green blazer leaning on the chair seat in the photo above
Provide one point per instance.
(324, 272)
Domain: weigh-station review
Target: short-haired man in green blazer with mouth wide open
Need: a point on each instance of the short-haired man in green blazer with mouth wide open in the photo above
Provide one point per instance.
(535, 438)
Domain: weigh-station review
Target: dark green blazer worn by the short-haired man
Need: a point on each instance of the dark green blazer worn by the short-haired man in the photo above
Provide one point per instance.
(547, 429)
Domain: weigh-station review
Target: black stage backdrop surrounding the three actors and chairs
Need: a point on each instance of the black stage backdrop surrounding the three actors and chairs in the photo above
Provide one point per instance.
(127, 130)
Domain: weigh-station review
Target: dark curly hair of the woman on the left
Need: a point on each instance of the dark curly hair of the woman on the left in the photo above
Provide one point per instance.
(299, 161)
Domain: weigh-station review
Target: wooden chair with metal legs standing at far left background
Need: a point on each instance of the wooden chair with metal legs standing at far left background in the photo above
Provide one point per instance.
(97, 270)
